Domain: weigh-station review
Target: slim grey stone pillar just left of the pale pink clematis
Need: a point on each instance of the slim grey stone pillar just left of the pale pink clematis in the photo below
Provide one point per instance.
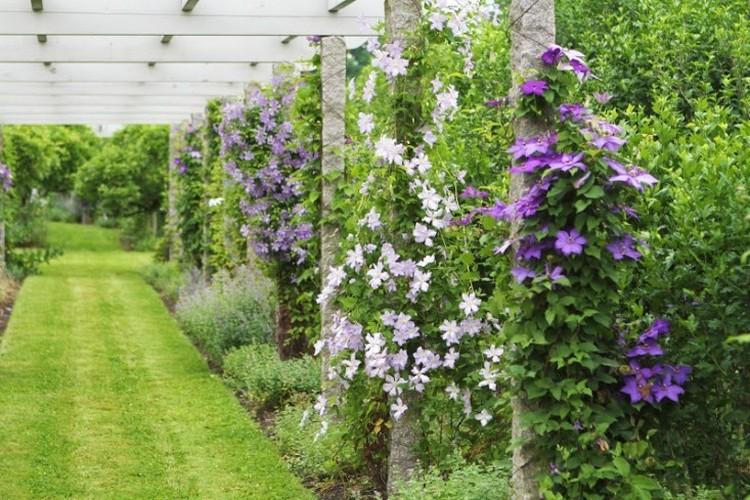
(333, 96)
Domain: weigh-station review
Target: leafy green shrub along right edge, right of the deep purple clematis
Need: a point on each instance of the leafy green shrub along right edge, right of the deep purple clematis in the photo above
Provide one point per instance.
(701, 220)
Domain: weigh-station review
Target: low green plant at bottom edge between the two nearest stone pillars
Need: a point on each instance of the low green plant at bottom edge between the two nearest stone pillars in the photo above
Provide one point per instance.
(465, 481)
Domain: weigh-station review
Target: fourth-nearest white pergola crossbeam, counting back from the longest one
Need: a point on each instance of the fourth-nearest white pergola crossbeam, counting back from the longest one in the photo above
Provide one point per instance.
(156, 89)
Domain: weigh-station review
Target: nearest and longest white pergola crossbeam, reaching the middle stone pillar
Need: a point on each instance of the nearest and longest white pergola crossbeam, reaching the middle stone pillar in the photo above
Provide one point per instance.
(86, 24)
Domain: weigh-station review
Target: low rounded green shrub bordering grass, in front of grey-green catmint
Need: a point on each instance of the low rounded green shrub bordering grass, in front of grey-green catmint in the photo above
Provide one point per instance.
(266, 380)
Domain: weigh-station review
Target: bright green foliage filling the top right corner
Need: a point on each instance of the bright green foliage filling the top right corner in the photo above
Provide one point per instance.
(689, 49)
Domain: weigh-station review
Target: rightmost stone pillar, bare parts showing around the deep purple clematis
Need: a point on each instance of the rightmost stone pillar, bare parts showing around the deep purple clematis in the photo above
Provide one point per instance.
(532, 31)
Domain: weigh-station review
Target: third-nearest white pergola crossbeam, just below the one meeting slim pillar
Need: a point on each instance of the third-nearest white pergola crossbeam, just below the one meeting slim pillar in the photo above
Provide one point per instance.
(132, 72)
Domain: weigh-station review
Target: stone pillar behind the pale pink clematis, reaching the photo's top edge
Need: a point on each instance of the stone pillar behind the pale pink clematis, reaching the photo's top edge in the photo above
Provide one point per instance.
(403, 18)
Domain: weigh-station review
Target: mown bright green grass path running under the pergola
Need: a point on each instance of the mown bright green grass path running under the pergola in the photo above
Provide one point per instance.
(102, 397)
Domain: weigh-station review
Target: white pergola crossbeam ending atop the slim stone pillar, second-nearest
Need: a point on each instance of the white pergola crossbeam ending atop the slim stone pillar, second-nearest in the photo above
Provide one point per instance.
(148, 49)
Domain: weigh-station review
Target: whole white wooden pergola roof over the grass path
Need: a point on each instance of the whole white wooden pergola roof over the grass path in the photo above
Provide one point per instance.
(154, 61)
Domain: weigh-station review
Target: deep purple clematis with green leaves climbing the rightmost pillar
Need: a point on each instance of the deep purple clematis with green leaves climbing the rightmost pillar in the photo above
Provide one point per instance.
(574, 226)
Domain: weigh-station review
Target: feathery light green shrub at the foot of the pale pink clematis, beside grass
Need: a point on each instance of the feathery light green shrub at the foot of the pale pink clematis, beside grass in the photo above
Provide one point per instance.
(312, 458)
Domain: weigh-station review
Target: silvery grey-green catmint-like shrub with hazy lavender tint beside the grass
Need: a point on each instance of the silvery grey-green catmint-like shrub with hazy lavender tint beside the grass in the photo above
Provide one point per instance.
(232, 311)
